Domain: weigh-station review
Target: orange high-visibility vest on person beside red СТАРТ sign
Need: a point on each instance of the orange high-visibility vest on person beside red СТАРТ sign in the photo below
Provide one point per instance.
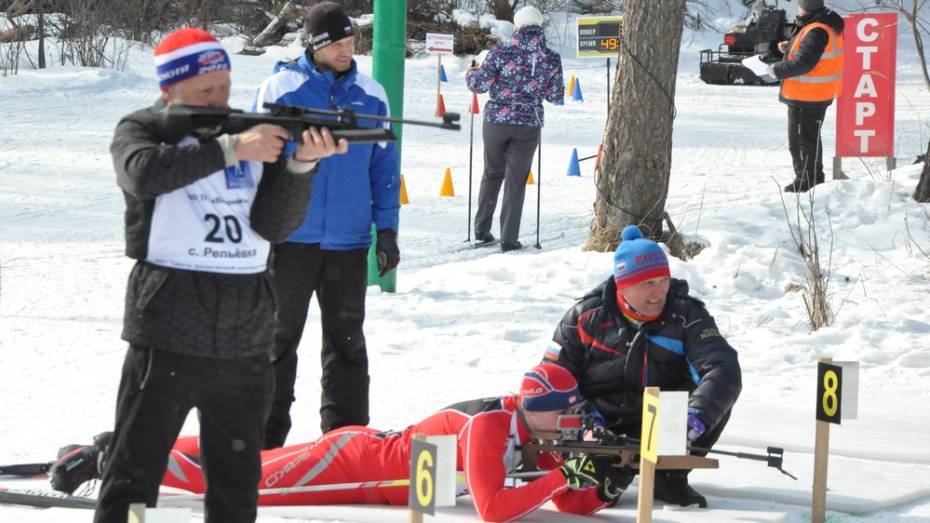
(825, 81)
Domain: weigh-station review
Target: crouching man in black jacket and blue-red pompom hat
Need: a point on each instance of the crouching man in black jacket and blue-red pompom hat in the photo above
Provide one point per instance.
(639, 329)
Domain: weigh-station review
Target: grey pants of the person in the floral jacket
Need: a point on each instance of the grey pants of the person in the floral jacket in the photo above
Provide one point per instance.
(508, 156)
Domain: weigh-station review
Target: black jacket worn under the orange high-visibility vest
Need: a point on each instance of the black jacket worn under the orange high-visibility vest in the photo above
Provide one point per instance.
(809, 52)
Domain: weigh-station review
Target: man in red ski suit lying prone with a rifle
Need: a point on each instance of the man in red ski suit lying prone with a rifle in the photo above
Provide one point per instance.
(490, 434)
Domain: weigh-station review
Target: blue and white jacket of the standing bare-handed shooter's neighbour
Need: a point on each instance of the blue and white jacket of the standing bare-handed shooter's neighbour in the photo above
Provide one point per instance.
(351, 191)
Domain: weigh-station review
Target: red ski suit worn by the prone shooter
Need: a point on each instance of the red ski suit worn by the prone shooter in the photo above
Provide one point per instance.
(489, 434)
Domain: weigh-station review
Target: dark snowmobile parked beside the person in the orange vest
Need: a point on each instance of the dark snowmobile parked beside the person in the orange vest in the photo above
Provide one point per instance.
(760, 33)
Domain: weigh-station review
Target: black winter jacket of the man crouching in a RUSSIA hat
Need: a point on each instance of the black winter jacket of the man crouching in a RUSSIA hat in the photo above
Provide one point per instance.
(614, 361)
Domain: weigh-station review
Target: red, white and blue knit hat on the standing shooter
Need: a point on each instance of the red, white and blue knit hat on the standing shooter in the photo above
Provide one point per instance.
(186, 53)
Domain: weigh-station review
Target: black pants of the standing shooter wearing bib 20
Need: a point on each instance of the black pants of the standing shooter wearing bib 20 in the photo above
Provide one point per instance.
(156, 392)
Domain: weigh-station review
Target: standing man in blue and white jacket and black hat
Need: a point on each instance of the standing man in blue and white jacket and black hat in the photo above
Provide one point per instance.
(327, 254)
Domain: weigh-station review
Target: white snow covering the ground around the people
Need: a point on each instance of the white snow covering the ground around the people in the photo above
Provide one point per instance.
(467, 322)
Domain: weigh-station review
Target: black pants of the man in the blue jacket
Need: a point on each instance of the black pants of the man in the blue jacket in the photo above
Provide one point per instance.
(340, 281)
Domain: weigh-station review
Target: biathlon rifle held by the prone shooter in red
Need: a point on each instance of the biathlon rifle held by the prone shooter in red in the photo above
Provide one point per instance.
(568, 439)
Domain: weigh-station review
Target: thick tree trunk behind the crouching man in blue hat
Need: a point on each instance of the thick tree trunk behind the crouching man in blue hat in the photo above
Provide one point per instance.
(636, 162)
